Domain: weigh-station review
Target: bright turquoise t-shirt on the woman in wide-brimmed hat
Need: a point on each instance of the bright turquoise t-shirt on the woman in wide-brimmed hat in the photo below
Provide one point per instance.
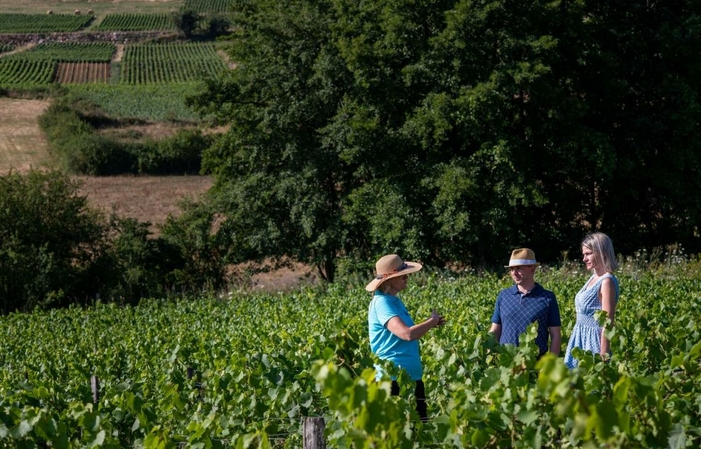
(386, 345)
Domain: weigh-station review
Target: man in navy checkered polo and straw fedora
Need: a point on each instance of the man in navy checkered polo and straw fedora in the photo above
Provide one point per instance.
(525, 302)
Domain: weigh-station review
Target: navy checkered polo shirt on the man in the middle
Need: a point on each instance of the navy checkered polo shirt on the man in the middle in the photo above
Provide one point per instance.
(514, 312)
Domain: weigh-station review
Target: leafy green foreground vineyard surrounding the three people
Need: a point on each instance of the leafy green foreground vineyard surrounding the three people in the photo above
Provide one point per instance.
(244, 370)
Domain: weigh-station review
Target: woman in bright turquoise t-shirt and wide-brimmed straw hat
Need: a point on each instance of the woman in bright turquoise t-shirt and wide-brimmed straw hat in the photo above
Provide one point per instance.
(393, 334)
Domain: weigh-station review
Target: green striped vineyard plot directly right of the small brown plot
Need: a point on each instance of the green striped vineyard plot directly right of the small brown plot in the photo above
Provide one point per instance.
(169, 63)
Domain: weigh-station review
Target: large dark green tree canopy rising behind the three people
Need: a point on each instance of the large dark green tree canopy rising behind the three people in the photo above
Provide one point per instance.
(455, 130)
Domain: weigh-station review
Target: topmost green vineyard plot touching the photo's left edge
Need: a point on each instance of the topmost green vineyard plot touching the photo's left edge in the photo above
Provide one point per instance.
(42, 23)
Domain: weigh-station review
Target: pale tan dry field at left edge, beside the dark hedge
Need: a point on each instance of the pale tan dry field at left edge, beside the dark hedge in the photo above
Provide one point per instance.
(22, 144)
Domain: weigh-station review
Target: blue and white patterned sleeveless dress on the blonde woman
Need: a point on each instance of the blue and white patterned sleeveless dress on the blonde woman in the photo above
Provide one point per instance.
(587, 333)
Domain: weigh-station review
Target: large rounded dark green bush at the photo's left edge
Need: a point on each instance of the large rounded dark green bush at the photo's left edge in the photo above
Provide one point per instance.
(49, 240)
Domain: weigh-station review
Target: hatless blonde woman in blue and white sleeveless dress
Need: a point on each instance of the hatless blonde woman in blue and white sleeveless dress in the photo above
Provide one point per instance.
(600, 292)
